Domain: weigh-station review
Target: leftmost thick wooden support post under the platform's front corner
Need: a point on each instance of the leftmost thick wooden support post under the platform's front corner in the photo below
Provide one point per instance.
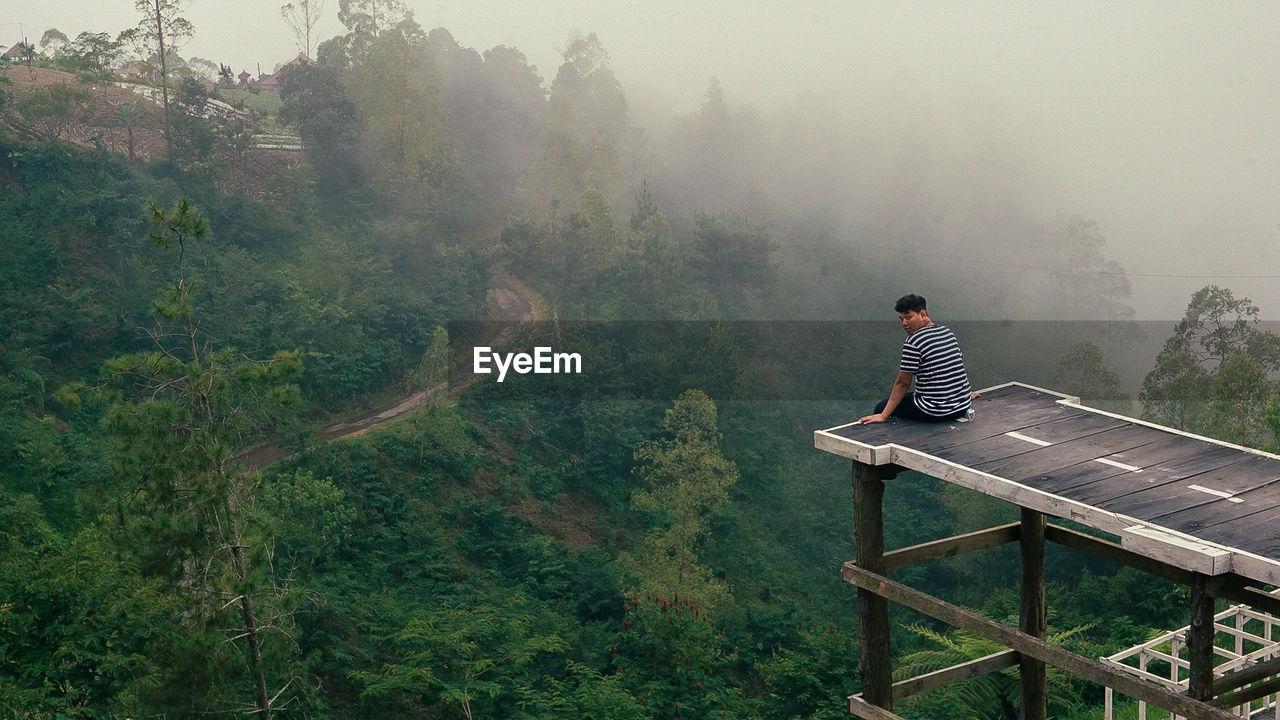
(874, 657)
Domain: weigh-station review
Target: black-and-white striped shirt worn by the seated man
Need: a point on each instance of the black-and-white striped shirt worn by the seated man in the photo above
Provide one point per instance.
(941, 384)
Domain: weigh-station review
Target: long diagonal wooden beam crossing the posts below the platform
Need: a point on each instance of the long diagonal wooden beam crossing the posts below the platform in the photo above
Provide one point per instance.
(1075, 664)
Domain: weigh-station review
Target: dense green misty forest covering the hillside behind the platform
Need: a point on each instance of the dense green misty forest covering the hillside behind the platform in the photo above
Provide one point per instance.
(653, 539)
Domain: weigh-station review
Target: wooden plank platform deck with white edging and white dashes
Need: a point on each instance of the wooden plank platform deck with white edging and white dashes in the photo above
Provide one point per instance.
(1190, 502)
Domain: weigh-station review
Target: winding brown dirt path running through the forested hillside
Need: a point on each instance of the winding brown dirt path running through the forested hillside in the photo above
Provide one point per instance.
(510, 308)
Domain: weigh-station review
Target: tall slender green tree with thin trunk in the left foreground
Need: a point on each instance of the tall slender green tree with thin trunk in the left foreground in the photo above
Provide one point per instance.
(181, 412)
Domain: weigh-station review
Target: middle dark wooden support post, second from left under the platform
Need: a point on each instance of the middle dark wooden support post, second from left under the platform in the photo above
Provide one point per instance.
(1034, 616)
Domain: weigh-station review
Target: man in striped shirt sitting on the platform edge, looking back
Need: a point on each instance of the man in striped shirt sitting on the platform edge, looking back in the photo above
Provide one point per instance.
(932, 357)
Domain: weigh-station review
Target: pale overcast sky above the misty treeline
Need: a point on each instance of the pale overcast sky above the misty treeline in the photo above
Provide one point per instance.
(1156, 120)
